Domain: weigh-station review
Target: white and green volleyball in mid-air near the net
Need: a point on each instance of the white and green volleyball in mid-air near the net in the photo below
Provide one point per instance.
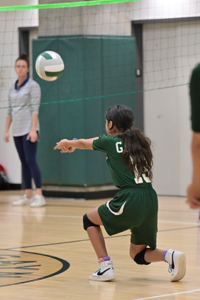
(49, 65)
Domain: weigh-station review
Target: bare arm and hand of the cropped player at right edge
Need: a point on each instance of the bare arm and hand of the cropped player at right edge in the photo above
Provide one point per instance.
(193, 191)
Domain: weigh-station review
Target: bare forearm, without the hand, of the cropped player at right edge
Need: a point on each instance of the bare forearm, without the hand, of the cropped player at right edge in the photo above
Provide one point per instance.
(196, 165)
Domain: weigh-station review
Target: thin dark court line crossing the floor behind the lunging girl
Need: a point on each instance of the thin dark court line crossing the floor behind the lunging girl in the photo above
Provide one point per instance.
(86, 240)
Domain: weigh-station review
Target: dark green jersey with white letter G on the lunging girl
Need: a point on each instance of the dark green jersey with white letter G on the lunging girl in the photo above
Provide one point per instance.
(121, 175)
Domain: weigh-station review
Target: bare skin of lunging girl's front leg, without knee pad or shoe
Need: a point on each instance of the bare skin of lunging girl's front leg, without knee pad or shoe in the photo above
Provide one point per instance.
(95, 234)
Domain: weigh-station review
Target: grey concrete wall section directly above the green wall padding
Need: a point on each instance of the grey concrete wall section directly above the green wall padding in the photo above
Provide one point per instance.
(113, 19)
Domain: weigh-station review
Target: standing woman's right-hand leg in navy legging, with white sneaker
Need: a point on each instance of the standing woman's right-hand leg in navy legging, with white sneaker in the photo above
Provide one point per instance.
(30, 155)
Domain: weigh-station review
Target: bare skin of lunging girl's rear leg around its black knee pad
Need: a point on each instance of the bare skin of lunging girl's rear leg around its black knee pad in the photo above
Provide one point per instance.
(150, 255)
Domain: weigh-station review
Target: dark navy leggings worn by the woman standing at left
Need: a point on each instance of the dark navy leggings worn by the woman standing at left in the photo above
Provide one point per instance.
(27, 154)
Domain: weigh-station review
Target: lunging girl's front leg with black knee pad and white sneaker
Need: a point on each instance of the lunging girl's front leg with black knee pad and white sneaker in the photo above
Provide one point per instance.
(92, 222)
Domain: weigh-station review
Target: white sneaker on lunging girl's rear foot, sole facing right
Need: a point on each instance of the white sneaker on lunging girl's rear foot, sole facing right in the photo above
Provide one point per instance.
(177, 264)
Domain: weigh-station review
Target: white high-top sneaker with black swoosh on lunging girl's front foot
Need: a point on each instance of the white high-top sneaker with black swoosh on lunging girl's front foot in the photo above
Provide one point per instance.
(105, 273)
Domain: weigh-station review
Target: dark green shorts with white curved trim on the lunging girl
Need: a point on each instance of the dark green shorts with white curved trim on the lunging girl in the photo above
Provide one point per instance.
(135, 209)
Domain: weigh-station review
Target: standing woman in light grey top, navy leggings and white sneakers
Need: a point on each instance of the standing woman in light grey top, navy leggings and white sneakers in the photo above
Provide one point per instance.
(24, 101)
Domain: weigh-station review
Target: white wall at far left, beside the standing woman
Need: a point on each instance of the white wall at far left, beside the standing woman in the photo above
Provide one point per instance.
(9, 51)
